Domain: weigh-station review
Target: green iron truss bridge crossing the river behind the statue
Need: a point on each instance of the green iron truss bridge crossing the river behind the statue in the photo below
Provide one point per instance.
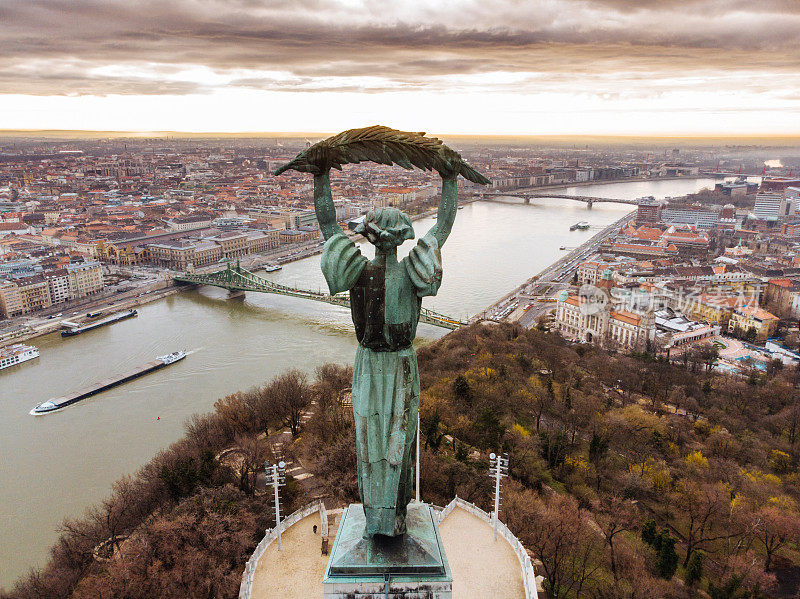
(236, 278)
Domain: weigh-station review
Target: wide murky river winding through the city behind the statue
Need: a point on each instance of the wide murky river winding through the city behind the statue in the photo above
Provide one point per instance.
(57, 465)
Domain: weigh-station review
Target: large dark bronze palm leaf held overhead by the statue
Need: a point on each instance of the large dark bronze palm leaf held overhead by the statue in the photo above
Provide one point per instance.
(384, 146)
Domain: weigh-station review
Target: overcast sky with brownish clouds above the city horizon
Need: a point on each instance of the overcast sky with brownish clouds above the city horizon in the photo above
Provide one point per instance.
(538, 67)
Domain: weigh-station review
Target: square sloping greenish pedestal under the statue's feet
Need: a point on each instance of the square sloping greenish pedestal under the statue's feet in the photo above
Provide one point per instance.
(413, 566)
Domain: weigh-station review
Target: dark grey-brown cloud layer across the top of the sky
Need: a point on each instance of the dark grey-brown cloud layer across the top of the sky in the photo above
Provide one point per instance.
(405, 45)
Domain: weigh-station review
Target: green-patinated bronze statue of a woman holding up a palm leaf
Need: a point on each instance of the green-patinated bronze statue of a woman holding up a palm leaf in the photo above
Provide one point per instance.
(385, 301)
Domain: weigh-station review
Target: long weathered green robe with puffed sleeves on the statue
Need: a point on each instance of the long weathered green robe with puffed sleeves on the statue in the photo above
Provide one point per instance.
(385, 302)
